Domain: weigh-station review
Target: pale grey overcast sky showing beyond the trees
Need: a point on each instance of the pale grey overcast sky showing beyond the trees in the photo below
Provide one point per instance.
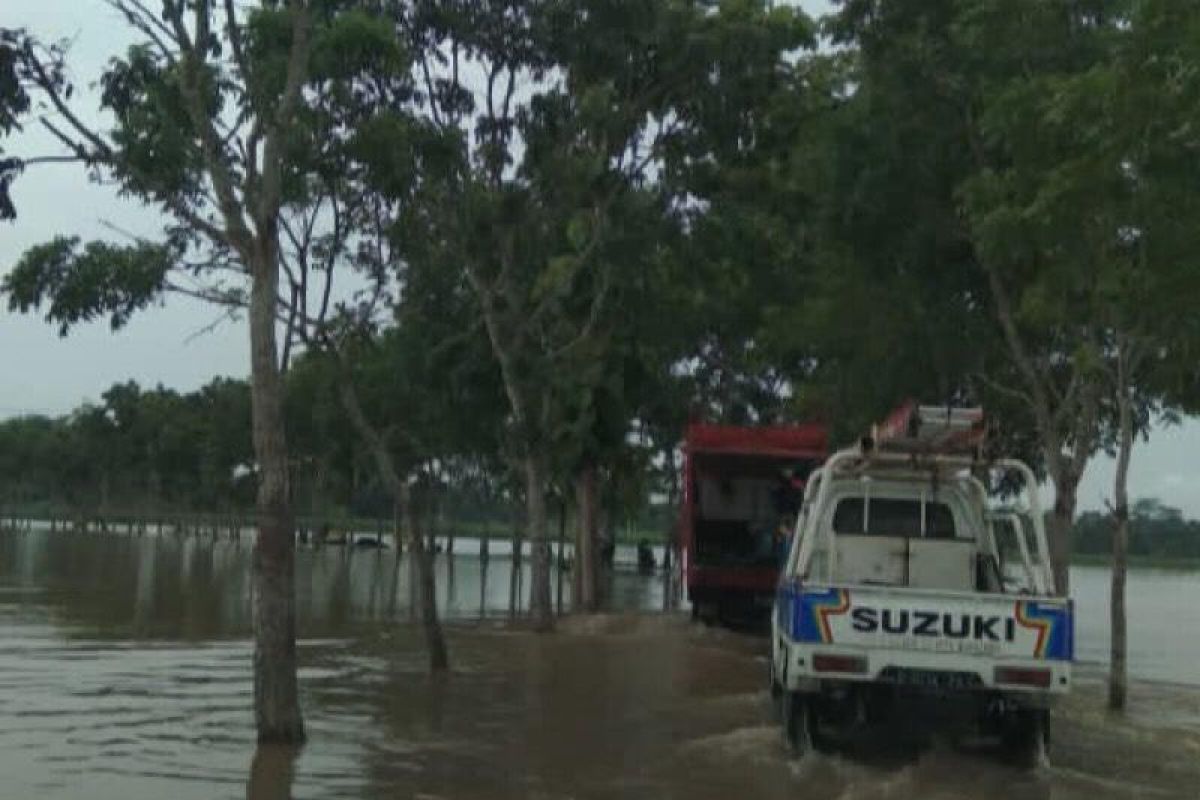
(173, 345)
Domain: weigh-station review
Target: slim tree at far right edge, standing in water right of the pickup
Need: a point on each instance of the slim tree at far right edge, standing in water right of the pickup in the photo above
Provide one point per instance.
(1143, 107)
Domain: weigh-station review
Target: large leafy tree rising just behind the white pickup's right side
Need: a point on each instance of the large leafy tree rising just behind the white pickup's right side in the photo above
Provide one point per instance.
(955, 89)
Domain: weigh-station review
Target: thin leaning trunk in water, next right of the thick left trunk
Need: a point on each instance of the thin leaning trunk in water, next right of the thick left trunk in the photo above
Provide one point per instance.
(400, 490)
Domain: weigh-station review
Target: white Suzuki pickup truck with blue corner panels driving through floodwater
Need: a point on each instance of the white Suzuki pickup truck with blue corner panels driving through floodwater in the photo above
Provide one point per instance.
(904, 581)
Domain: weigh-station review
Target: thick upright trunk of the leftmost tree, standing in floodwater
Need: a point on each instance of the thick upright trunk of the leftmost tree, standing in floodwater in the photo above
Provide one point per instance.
(277, 696)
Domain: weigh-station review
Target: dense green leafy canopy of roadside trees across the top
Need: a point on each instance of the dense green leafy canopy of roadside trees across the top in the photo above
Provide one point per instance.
(592, 220)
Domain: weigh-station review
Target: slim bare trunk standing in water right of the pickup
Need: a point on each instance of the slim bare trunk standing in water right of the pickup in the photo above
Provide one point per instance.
(1118, 677)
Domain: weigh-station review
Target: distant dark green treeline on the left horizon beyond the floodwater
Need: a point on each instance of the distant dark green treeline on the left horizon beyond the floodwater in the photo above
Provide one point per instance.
(158, 452)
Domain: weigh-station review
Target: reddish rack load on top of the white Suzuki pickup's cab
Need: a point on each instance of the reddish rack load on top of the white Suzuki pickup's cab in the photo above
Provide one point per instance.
(929, 430)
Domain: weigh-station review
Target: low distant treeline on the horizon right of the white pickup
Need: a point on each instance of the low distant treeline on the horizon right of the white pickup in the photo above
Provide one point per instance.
(1156, 532)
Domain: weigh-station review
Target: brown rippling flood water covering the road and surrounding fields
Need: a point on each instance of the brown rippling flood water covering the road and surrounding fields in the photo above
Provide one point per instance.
(125, 673)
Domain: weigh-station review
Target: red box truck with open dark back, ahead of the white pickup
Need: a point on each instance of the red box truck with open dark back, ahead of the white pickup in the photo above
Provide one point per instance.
(742, 492)
